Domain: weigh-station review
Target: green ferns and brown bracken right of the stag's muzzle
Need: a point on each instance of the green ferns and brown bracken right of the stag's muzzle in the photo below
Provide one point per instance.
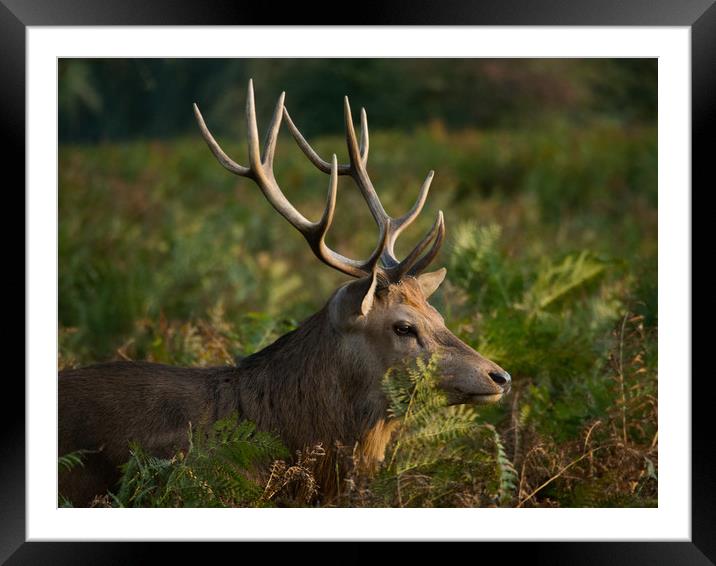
(585, 400)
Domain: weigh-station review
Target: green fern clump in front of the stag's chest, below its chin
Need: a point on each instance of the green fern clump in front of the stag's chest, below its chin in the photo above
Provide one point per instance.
(440, 453)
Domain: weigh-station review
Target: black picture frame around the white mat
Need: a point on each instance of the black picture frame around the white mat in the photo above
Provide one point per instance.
(698, 15)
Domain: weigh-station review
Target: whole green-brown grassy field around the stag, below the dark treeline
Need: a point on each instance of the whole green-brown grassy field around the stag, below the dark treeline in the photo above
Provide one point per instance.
(551, 253)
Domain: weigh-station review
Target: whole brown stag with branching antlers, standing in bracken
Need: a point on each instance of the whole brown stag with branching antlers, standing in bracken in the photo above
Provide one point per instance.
(320, 383)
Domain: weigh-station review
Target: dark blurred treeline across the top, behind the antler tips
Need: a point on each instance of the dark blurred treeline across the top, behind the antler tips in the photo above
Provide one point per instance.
(111, 99)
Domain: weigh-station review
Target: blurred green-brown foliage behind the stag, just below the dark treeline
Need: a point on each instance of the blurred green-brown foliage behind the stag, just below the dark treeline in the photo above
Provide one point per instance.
(187, 241)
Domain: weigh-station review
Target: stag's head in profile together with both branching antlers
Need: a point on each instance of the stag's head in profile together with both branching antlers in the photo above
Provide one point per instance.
(381, 318)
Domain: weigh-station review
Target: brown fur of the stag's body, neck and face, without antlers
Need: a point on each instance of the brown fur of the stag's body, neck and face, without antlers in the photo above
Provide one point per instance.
(319, 383)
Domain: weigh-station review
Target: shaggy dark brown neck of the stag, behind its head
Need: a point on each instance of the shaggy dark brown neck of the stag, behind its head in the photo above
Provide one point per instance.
(309, 387)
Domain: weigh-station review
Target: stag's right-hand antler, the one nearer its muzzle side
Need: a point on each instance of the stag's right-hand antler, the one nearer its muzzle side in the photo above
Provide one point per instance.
(356, 169)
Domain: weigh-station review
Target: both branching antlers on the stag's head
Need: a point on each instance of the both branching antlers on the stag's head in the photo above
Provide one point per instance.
(260, 170)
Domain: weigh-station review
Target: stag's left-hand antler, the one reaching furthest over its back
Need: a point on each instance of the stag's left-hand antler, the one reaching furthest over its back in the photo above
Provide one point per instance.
(260, 169)
